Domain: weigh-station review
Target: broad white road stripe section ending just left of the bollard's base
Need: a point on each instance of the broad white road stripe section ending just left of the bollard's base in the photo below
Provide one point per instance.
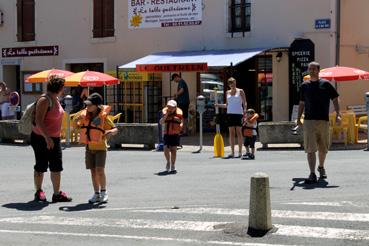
(122, 223)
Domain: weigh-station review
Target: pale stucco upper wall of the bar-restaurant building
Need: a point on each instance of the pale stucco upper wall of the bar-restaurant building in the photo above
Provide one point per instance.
(68, 23)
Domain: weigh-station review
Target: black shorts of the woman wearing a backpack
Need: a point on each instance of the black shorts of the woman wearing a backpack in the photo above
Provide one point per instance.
(46, 158)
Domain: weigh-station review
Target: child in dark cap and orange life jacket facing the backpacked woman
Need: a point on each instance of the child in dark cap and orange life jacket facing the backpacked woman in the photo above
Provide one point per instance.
(95, 129)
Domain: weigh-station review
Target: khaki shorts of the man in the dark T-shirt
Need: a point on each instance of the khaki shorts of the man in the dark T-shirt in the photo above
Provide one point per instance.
(316, 136)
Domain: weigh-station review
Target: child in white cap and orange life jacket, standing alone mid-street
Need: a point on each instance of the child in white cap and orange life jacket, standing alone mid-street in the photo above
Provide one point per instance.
(172, 122)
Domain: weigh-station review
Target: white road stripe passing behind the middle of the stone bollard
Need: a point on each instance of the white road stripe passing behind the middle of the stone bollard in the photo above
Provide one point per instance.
(361, 217)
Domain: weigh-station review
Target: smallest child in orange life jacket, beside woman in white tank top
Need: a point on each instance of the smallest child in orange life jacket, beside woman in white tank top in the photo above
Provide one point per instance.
(249, 132)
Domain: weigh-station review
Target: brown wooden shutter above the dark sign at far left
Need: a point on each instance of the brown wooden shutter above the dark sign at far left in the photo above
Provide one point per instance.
(28, 21)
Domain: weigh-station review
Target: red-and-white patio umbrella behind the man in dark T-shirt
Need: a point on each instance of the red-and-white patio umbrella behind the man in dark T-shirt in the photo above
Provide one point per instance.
(340, 74)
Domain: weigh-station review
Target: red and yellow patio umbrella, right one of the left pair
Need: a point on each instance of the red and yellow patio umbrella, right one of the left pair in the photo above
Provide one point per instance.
(90, 79)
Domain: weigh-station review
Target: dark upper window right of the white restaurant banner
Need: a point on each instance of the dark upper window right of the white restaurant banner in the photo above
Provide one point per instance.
(240, 15)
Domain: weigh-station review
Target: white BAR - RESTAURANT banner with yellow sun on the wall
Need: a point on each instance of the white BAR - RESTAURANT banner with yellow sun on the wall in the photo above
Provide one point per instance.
(163, 13)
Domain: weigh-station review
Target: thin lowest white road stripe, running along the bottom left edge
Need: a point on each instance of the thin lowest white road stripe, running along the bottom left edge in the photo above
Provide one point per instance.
(183, 240)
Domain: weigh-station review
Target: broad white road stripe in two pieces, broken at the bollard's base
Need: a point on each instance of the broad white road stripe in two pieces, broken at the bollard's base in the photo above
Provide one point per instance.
(283, 230)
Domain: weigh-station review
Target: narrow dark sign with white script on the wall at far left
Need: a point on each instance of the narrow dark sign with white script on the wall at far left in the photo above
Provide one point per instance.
(31, 51)
